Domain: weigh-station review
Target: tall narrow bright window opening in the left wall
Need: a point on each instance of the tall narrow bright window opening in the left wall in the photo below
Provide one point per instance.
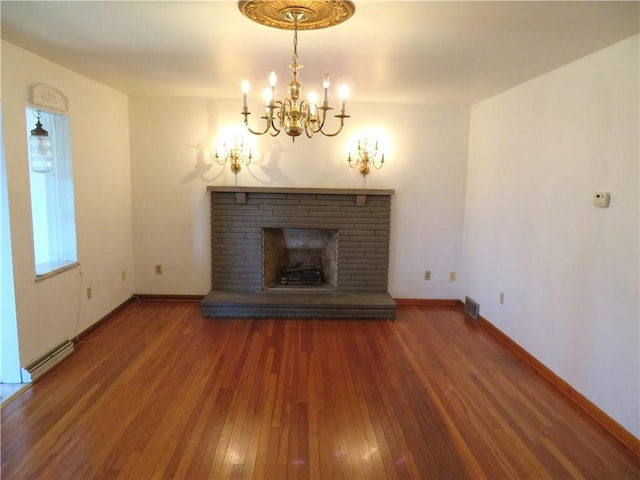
(52, 201)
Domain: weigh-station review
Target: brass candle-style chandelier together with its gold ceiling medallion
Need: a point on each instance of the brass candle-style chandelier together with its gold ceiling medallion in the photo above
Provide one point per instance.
(294, 114)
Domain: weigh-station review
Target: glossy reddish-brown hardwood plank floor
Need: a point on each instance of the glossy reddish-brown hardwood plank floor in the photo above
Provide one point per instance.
(160, 392)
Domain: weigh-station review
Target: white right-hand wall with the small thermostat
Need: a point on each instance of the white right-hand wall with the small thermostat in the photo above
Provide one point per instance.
(569, 271)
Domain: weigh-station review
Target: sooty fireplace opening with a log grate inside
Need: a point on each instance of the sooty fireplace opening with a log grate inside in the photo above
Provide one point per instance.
(299, 258)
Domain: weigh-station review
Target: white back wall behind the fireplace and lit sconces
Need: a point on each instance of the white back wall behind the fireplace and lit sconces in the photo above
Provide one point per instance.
(425, 165)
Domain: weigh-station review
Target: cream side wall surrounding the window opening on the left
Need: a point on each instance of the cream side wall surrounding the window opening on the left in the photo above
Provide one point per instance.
(57, 308)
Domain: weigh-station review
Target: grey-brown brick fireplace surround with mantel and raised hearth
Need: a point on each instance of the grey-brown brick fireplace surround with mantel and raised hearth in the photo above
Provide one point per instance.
(239, 216)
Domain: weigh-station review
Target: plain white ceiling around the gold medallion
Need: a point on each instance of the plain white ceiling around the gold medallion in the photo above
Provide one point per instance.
(389, 51)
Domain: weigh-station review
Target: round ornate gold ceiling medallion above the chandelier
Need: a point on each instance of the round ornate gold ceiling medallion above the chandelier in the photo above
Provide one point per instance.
(312, 14)
